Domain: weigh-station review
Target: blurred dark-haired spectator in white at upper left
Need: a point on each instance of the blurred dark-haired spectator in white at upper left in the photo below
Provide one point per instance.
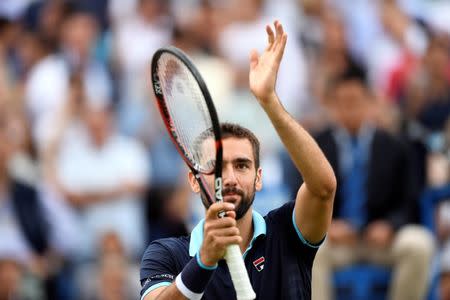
(47, 85)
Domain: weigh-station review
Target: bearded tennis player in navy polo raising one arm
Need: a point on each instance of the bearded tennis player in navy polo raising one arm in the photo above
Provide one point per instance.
(279, 248)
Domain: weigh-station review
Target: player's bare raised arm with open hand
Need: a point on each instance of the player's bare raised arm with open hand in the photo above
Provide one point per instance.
(314, 202)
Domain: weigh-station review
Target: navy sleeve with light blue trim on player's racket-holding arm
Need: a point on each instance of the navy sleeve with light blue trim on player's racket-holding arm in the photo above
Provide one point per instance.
(158, 268)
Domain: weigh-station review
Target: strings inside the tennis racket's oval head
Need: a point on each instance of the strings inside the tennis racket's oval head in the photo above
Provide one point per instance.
(188, 110)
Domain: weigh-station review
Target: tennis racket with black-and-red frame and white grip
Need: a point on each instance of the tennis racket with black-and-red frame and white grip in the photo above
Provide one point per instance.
(190, 117)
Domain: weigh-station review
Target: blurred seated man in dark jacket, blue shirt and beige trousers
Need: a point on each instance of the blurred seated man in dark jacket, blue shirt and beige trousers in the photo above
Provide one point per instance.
(375, 197)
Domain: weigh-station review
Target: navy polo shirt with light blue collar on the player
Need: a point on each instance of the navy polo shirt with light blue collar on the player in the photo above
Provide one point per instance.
(278, 260)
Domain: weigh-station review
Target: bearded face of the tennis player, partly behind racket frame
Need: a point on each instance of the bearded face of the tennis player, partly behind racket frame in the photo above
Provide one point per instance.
(240, 177)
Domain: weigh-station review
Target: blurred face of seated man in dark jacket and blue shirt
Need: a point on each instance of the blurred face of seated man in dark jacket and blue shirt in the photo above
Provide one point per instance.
(349, 105)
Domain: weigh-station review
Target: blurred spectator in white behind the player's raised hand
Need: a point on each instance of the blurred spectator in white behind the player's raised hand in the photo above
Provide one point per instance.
(243, 28)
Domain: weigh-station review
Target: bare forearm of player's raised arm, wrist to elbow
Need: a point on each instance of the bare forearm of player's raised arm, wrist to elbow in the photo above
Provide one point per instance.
(303, 150)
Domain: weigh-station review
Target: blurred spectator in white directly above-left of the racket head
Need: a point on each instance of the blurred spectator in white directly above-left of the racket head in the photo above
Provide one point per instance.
(136, 39)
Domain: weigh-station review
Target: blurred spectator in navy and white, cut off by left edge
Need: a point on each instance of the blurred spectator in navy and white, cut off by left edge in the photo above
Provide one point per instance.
(27, 245)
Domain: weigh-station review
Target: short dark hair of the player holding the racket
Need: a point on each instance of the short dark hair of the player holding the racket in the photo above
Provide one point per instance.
(229, 130)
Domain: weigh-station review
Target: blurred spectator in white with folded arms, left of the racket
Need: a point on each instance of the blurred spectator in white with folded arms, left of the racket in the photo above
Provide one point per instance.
(100, 172)
